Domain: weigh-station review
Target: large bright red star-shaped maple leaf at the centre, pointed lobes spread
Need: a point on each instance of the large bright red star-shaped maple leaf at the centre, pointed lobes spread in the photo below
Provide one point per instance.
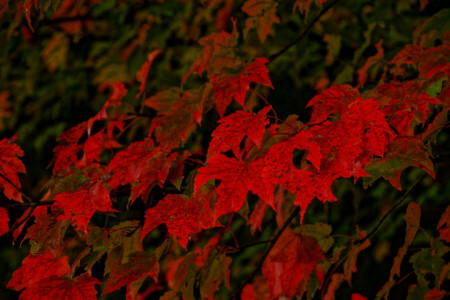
(236, 180)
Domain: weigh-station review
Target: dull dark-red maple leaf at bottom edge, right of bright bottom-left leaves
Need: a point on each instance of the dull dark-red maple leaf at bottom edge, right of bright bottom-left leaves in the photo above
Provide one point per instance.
(140, 265)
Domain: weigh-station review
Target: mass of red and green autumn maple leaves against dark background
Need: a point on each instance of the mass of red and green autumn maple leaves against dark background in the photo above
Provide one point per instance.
(164, 191)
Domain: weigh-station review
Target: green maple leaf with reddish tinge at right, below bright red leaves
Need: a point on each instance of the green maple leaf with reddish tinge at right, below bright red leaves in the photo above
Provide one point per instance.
(402, 152)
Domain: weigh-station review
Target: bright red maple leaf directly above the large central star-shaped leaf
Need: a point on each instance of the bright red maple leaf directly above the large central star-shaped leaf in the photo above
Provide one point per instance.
(233, 128)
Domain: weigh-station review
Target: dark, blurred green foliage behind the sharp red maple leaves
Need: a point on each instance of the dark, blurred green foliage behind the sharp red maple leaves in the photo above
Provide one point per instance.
(52, 71)
